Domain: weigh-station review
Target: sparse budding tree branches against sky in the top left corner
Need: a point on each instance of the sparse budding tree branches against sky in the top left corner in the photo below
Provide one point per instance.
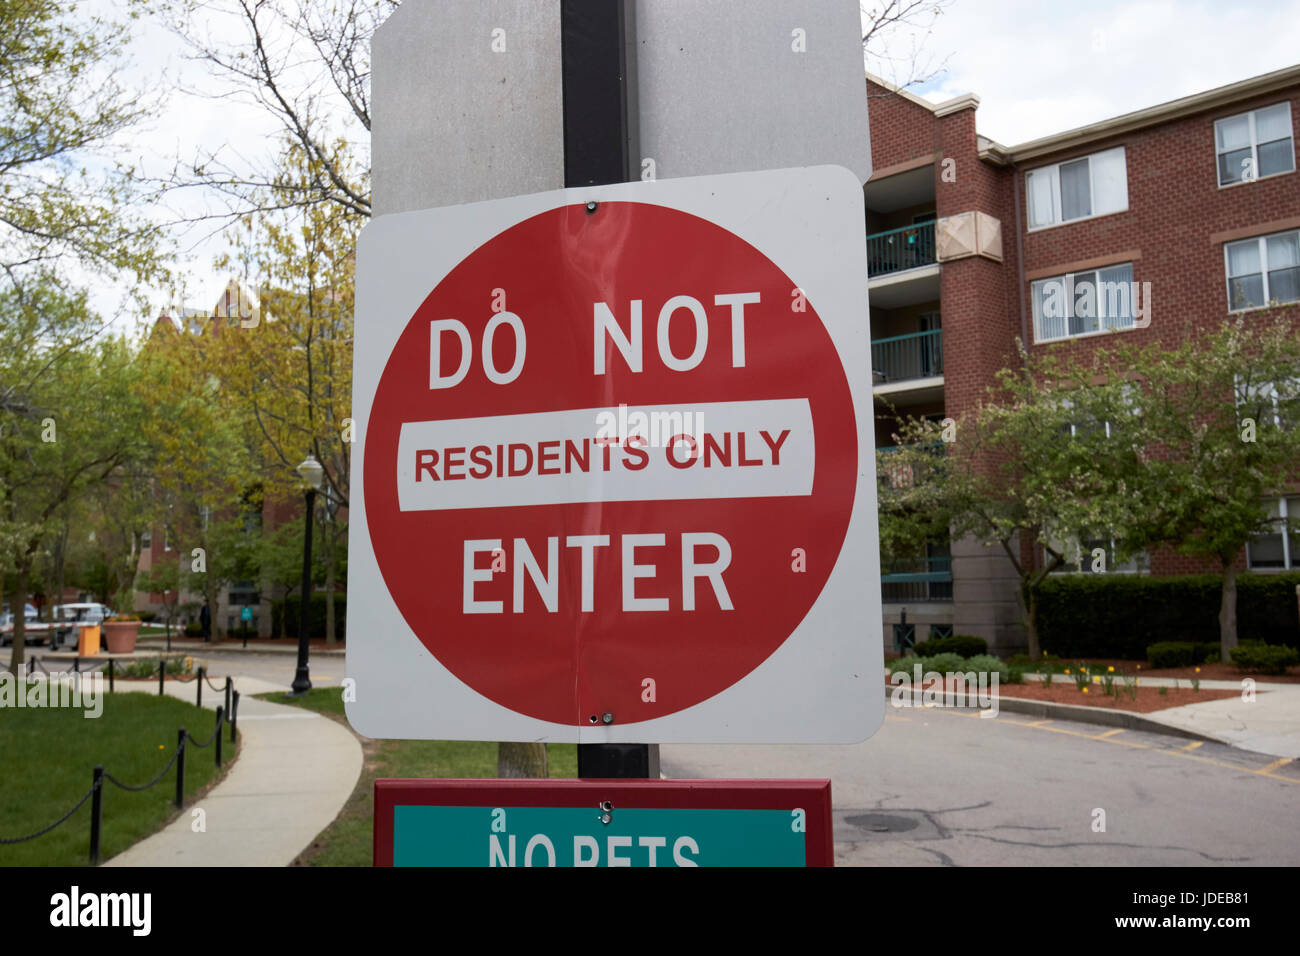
(60, 100)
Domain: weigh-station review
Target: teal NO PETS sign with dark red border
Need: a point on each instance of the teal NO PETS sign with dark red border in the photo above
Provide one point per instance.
(603, 824)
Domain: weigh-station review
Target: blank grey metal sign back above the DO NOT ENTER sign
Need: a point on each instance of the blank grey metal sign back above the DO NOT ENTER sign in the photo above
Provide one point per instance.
(469, 94)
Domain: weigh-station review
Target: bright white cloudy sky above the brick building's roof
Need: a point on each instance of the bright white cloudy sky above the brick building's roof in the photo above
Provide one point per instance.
(1043, 68)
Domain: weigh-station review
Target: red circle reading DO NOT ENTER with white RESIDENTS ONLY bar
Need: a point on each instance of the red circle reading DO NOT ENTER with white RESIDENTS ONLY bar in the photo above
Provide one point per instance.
(610, 461)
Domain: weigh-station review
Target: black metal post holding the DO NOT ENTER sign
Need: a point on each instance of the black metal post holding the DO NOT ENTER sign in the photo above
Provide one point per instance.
(600, 148)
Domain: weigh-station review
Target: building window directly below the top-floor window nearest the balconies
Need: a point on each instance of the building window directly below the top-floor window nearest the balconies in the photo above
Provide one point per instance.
(1081, 304)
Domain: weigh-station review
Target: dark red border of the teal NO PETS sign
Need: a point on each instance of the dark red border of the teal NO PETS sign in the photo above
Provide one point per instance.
(812, 795)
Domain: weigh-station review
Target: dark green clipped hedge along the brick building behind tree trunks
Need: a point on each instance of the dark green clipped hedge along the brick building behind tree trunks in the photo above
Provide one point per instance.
(1121, 616)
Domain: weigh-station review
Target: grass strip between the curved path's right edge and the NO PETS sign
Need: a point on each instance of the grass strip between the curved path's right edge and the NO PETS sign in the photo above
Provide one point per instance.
(348, 842)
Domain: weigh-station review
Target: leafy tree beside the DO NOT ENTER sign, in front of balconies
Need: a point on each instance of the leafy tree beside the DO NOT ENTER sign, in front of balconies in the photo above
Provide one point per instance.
(1048, 458)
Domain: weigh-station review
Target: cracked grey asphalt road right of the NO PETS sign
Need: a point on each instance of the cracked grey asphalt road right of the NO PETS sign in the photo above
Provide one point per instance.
(944, 788)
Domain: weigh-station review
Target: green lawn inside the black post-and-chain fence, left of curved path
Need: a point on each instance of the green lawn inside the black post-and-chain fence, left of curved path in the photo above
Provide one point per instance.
(47, 756)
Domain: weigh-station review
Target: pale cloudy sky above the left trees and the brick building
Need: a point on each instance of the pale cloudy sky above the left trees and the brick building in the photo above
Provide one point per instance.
(1039, 67)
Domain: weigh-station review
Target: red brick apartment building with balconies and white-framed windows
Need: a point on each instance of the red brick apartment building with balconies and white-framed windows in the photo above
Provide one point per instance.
(1197, 197)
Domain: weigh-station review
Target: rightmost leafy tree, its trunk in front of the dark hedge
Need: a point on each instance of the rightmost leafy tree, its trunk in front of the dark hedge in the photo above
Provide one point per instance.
(1221, 414)
